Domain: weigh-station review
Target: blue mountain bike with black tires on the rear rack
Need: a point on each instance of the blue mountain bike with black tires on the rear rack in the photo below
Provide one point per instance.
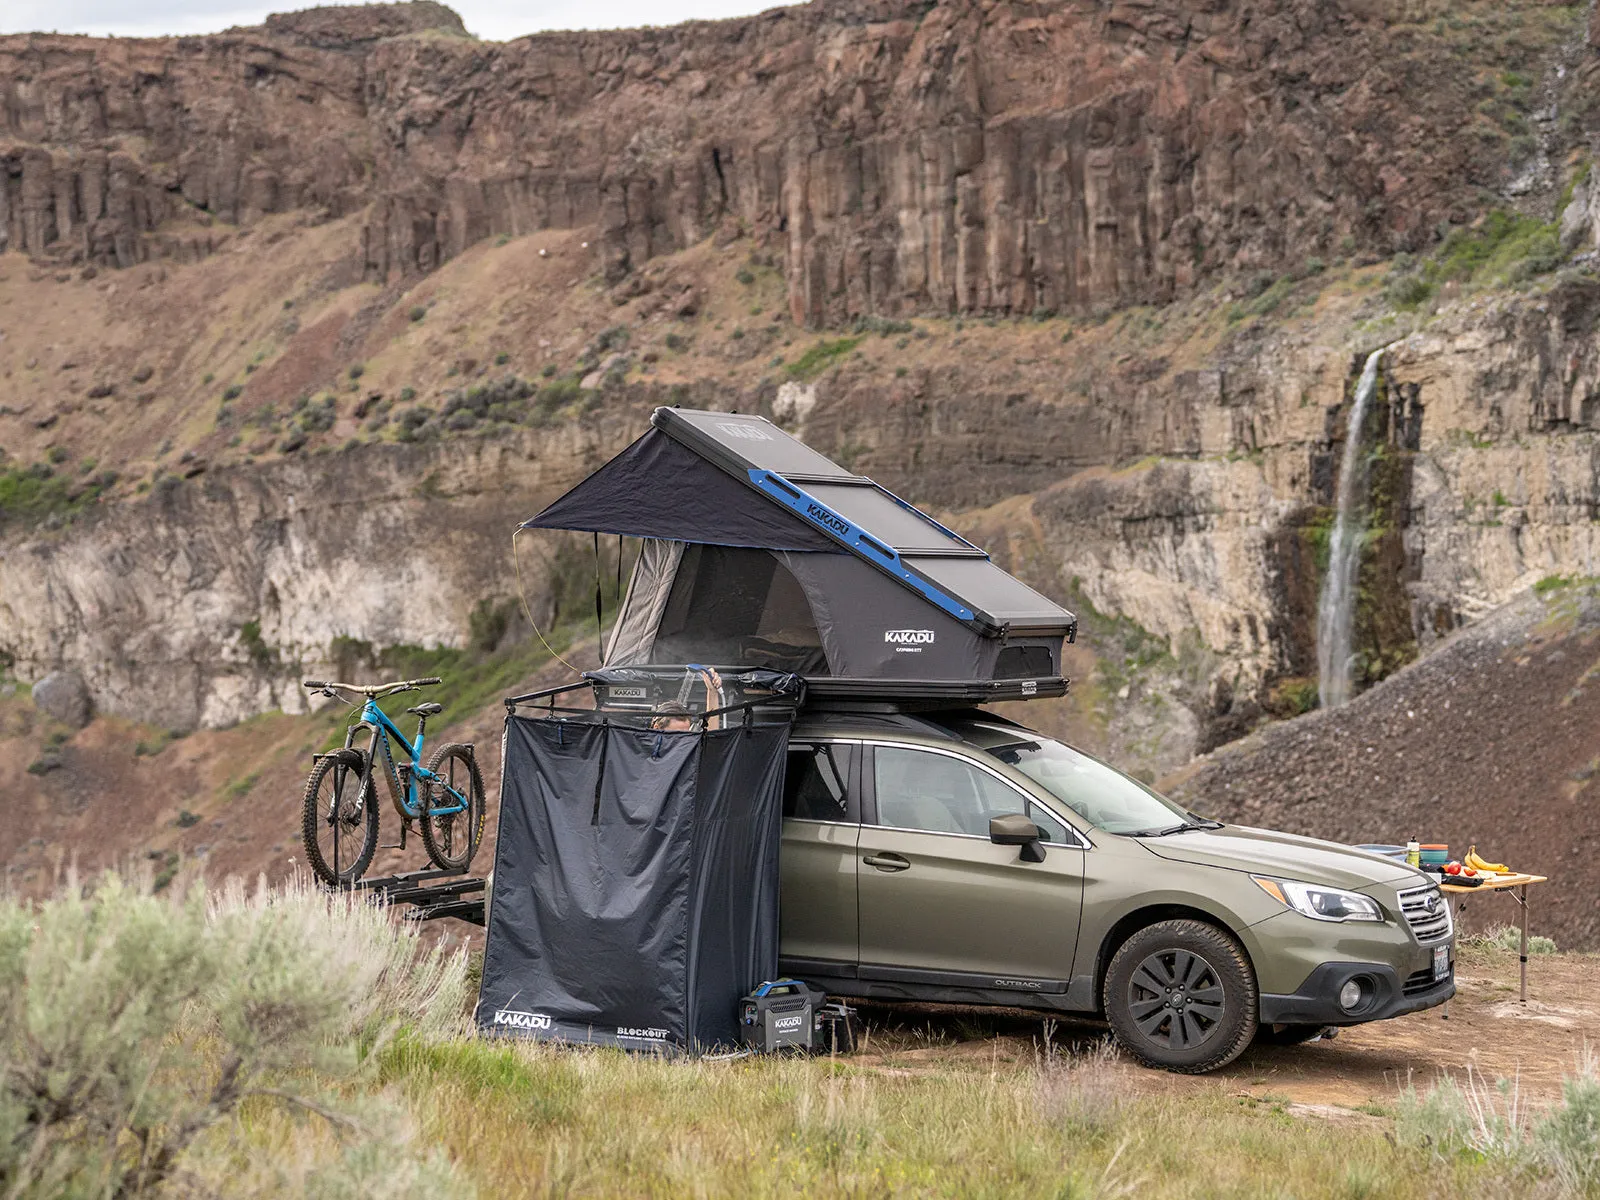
(446, 799)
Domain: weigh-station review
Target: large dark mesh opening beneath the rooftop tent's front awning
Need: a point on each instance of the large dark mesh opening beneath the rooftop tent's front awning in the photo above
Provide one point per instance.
(738, 607)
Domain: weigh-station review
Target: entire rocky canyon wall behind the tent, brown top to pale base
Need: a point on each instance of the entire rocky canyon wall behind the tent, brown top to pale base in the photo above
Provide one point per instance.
(1094, 279)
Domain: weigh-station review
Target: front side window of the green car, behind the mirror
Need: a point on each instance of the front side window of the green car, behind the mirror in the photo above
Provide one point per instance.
(938, 794)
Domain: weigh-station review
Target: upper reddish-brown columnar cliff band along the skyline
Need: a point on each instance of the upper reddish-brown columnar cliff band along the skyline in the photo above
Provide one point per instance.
(905, 156)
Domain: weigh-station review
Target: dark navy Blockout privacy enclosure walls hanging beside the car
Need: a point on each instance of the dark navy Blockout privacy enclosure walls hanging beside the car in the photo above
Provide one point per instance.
(636, 882)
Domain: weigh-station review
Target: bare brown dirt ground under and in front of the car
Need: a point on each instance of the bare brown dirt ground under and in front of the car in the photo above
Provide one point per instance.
(1351, 1078)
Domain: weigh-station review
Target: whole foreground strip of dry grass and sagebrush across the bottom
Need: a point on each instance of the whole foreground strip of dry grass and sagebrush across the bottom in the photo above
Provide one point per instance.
(361, 1079)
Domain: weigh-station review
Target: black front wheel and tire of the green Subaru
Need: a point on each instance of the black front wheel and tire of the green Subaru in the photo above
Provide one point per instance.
(1182, 996)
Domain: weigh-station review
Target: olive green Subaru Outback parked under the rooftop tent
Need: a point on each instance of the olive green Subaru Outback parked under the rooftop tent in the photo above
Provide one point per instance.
(969, 860)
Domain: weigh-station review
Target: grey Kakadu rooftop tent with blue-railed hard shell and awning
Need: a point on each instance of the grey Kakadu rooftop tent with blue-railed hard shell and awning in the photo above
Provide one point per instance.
(762, 553)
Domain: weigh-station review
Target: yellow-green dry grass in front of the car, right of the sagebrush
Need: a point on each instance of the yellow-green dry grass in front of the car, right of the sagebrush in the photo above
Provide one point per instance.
(526, 1119)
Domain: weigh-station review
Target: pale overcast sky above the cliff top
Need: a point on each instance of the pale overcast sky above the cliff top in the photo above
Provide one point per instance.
(498, 20)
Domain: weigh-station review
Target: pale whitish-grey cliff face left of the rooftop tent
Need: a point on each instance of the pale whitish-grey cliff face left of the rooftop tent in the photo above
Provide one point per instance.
(210, 601)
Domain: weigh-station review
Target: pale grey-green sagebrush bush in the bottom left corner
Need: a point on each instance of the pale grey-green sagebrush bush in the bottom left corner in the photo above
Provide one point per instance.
(138, 1030)
